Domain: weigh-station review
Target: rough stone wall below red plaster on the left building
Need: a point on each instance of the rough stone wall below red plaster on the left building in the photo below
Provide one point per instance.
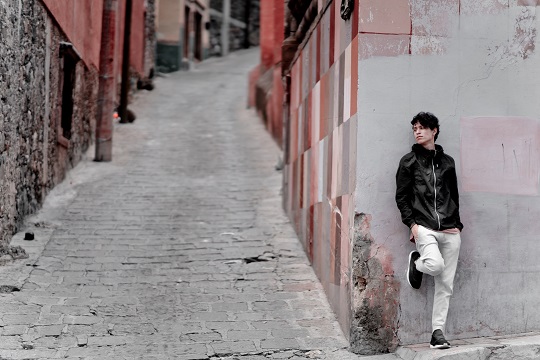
(32, 160)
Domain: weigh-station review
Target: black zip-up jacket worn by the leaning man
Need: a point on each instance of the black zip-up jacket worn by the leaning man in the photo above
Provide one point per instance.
(427, 192)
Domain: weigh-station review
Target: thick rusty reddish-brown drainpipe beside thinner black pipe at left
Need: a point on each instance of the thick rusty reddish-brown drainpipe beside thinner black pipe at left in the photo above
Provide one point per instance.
(106, 92)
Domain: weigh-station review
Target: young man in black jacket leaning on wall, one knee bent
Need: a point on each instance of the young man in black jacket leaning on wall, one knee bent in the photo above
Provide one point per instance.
(427, 197)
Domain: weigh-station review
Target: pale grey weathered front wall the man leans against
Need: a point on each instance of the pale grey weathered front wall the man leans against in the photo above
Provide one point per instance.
(475, 65)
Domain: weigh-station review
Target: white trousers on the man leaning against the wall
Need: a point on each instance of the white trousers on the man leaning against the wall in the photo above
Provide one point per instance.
(439, 253)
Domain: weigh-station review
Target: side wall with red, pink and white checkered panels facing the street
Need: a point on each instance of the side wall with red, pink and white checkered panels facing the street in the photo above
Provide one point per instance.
(320, 170)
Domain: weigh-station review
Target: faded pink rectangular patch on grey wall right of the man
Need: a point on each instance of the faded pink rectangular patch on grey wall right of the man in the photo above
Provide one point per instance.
(500, 154)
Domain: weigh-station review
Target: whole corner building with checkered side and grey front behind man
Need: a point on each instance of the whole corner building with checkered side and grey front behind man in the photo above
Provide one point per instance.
(354, 75)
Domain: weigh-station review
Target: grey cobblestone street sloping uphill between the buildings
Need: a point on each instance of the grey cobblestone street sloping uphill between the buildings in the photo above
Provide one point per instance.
(177, 249)
